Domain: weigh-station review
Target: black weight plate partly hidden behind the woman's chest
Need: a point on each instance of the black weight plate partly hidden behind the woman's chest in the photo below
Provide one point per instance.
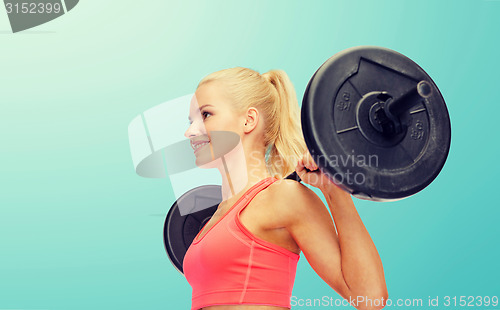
(179, 230)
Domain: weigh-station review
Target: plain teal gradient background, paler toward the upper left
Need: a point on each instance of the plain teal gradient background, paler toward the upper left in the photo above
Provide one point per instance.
(80, 230)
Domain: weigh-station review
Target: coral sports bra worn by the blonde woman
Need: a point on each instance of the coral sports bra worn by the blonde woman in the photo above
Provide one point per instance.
(229, 265)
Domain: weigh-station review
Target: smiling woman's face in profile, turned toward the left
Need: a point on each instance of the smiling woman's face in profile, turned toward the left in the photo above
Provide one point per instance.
(215, 128)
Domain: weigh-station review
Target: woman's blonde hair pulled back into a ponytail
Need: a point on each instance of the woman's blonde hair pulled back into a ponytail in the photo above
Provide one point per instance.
(273, 95)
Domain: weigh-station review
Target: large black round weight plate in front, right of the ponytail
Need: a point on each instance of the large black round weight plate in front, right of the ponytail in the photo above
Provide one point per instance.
(366, 163)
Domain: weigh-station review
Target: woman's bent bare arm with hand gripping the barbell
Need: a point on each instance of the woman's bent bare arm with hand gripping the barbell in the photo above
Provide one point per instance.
(346, 258)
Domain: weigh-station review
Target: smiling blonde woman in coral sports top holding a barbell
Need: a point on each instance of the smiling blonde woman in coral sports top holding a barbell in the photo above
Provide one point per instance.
(245, 257)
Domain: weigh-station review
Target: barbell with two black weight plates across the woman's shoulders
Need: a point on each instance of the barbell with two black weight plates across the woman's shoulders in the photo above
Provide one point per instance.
(373, 121)
